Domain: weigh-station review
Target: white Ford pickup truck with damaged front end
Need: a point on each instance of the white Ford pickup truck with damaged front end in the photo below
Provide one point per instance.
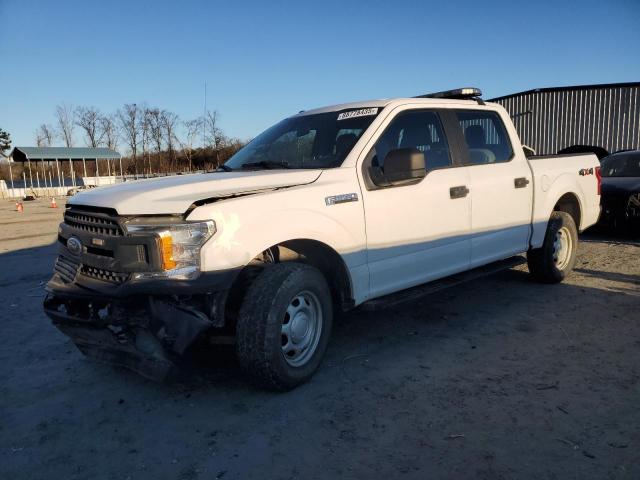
(324, 211)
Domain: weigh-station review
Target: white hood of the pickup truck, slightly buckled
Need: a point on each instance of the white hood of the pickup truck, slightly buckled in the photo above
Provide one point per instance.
(175, 194)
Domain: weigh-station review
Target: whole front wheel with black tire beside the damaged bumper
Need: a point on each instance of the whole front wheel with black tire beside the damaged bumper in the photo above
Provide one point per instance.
(284, 325)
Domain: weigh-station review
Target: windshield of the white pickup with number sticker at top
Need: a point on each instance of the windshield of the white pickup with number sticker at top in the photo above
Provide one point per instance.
(321, 140)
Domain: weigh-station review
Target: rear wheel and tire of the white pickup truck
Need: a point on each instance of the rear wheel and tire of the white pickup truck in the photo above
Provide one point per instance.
(552, 262)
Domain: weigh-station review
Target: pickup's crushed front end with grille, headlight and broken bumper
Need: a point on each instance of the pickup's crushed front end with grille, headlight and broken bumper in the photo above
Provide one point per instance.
(130, 294)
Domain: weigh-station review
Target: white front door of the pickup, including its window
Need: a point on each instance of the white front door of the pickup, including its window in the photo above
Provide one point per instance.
(421, 231)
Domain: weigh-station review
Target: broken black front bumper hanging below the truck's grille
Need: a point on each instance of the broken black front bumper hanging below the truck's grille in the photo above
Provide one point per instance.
(145, 334)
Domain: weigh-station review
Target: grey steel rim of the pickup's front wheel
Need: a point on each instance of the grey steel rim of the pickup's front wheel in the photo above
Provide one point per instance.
(301, 328)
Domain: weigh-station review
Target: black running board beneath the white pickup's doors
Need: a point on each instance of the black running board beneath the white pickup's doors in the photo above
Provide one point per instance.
(415, 293)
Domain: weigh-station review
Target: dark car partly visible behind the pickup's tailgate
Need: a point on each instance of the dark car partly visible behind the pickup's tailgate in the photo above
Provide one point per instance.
(621, 190)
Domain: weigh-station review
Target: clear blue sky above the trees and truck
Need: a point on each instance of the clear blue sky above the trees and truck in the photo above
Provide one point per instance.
(266, 60)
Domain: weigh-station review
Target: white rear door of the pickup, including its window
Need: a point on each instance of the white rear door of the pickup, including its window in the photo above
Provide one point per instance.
(500, 187)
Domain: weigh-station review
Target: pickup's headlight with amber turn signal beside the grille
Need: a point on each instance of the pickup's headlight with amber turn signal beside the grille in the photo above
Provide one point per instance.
(179, 247)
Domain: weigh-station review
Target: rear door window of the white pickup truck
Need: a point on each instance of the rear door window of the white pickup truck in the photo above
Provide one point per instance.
(485, 136)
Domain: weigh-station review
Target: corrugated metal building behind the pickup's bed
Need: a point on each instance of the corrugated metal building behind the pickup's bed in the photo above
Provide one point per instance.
(552, 119)
